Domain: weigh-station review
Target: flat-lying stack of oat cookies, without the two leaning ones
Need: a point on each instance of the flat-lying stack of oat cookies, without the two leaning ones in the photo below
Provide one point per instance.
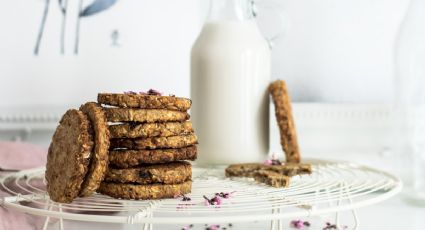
(150, 137)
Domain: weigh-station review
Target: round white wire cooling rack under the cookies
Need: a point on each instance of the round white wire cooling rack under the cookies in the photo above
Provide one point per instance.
(331, 188)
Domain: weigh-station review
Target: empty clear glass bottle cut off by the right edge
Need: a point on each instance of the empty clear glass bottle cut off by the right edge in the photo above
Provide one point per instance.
(410, 101)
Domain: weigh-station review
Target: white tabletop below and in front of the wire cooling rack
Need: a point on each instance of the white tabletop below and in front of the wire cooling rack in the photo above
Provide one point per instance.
(393, 214)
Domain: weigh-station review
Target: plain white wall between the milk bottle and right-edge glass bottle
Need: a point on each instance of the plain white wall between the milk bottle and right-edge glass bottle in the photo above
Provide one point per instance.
(339, 50)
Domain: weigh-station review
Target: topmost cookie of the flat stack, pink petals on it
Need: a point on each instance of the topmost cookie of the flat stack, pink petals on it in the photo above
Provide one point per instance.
(144, 101)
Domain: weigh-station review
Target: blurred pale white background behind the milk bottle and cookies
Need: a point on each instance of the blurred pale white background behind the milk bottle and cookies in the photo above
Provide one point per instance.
(336, 56)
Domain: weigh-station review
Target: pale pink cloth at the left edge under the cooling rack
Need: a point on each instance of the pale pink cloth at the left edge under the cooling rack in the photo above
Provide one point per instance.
(19, 156)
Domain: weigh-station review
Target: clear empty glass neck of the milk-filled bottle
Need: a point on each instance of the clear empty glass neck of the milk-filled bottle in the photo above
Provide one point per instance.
(230, 10)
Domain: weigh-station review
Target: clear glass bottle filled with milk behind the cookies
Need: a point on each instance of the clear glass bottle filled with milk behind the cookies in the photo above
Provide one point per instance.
(230, 72)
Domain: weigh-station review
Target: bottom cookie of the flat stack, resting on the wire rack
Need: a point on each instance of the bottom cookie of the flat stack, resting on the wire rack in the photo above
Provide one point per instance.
(144, 192)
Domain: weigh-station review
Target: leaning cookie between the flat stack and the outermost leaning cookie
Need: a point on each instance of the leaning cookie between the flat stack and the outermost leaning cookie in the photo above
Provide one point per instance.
(99, 162)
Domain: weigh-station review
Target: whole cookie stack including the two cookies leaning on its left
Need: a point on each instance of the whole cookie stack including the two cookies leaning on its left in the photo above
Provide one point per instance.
(134, 147)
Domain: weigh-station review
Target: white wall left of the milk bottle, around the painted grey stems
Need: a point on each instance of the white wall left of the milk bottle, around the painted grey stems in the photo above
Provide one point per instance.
(155, 42)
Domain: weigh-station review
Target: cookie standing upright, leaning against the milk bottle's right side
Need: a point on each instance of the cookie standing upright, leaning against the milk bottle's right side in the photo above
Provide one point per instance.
(285, 121)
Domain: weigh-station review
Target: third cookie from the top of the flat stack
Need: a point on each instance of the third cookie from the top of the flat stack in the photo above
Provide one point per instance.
(134, 130)
